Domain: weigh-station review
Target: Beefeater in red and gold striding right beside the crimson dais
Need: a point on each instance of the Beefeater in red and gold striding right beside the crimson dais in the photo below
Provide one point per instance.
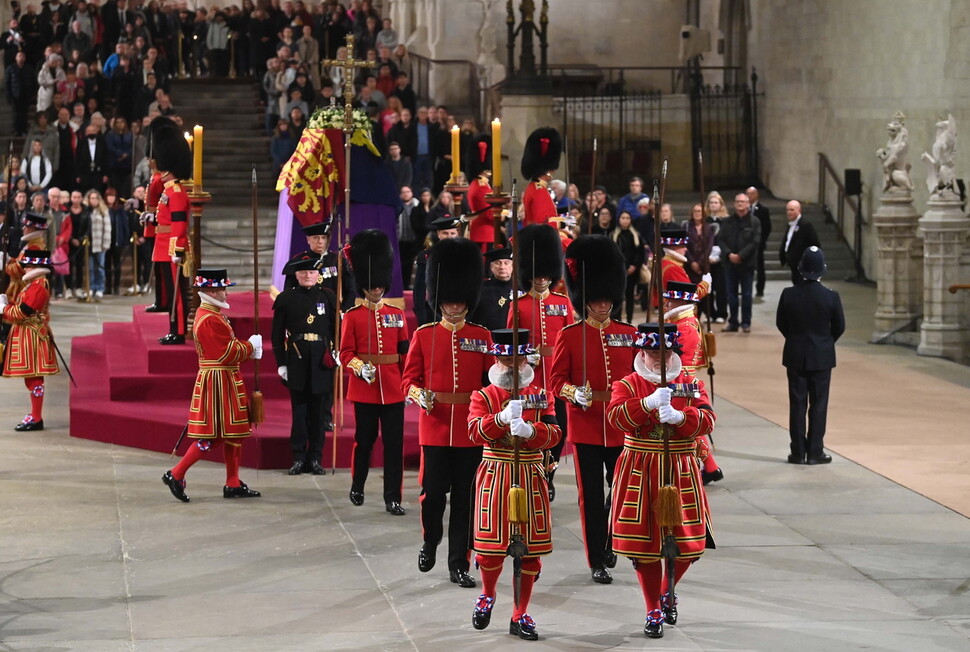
(219, 412)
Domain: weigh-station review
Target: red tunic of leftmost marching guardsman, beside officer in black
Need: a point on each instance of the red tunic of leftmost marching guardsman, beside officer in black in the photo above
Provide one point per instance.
(374, 336)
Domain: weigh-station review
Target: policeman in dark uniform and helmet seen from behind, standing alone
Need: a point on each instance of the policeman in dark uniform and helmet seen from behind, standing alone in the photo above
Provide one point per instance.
(811, 319)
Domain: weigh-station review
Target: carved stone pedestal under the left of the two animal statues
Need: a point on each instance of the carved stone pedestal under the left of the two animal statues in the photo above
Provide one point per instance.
(899, 284)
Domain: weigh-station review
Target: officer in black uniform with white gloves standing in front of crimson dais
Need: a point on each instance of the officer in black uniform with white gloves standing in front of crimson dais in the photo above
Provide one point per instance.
(304, 321)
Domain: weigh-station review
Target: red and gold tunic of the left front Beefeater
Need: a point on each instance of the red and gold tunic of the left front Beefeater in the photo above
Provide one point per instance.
(496, 473)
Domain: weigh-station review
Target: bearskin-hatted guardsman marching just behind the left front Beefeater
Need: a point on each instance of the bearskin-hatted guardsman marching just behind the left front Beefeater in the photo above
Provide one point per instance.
(447, 361)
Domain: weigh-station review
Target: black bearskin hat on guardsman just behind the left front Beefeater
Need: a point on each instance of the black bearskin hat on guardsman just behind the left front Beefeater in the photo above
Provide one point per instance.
(455, 272)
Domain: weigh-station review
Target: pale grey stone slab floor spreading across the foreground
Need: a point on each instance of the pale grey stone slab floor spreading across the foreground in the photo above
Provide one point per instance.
(95, 554)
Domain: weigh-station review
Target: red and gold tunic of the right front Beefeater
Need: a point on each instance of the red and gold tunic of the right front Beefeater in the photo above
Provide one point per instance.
(637, 479)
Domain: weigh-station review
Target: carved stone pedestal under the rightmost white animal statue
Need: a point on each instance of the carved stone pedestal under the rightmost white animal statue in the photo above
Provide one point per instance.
(944, 229)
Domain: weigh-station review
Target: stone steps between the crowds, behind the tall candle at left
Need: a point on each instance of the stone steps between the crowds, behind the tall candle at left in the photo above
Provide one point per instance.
(235, 140)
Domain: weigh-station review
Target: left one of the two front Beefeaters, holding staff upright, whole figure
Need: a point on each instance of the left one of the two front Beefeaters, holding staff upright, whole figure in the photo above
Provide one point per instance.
(496, 421)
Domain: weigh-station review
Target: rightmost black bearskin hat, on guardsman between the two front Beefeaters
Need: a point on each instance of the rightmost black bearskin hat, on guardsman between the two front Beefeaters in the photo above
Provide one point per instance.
(595, 270)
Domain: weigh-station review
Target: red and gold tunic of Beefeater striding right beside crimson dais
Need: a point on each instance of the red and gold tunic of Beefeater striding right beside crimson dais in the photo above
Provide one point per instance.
(220, 407)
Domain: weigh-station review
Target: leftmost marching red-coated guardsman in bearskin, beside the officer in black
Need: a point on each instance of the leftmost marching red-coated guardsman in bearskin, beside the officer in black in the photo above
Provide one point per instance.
(373, 344)
